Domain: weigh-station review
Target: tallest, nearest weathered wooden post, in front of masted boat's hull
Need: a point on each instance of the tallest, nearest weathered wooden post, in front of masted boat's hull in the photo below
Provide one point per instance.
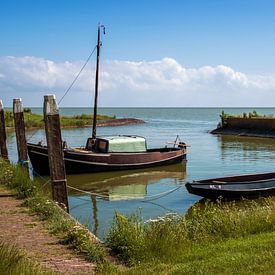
(55, 151)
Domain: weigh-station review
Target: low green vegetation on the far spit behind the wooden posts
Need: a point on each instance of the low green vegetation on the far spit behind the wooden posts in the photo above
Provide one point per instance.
(36, 121)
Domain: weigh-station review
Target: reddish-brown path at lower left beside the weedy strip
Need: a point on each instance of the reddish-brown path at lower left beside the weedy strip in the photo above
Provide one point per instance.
(28, 234)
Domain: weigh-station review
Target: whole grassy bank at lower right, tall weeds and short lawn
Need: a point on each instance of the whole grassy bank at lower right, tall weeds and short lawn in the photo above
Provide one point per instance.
(214, 237)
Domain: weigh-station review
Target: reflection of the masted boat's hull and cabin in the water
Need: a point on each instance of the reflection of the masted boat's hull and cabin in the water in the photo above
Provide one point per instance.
(124, 185)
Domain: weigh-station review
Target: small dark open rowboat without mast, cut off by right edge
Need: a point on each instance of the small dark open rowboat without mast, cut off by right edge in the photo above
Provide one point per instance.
(236, 187)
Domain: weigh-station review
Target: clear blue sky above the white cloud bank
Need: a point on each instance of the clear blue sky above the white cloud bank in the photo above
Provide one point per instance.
(238, 34)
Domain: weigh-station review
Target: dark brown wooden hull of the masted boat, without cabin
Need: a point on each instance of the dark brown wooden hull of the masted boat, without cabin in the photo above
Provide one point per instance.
(80, 161)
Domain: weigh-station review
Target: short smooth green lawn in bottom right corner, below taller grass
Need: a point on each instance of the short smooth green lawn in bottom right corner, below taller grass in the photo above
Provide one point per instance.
(251, 255)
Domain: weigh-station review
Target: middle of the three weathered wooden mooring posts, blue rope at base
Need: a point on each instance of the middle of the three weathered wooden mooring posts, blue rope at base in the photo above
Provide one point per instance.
(19, 125)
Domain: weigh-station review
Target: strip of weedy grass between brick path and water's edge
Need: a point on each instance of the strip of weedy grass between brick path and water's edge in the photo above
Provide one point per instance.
(57, 221)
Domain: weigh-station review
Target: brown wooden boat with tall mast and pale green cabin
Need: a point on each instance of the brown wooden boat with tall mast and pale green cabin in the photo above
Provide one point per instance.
(109, 153)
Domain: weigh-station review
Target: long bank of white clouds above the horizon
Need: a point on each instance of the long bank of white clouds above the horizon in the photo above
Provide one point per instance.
(162, 82)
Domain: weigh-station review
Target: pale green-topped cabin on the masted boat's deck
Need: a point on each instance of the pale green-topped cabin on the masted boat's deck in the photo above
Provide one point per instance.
(117, 144)
